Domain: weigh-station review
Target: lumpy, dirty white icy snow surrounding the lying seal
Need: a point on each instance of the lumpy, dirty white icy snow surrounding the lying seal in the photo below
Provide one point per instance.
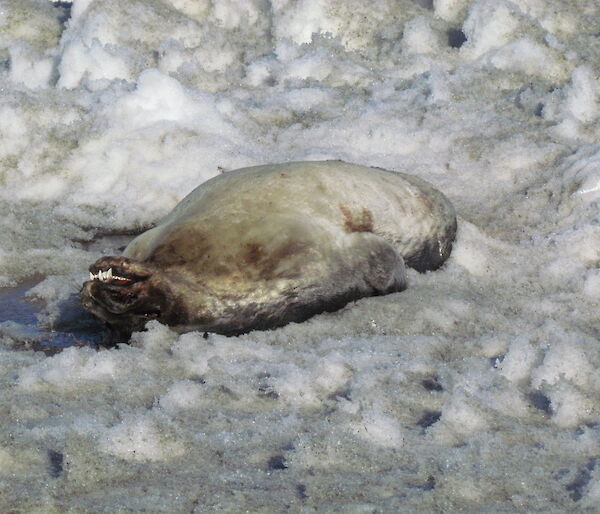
(475, 390)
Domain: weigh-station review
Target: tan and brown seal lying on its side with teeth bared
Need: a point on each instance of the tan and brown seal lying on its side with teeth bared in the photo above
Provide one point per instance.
(260, 247)
